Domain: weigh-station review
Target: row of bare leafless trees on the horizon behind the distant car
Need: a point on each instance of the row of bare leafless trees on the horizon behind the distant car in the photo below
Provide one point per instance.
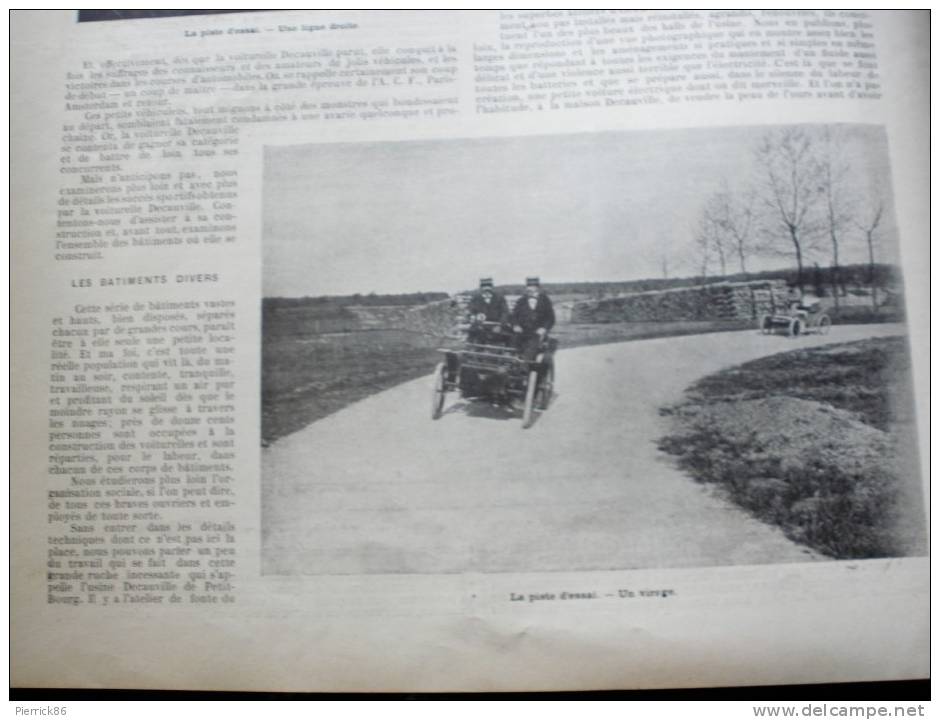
(804, 201)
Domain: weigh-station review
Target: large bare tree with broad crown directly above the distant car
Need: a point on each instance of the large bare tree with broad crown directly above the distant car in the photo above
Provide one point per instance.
(791, 186)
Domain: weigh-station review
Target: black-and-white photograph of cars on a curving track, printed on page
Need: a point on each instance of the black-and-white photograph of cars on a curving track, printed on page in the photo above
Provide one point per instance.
(605, 351)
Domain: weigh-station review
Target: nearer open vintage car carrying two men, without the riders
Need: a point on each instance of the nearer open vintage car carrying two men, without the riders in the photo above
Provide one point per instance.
(489, 368)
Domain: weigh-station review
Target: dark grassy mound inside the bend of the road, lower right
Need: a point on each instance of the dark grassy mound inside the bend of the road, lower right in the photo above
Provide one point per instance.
(820, 442)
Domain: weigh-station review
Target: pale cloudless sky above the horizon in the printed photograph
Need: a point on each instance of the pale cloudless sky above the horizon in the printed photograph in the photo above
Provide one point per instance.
(399, 217)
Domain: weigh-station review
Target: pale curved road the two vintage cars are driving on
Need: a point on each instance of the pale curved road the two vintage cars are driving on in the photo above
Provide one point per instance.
(381, 488)
